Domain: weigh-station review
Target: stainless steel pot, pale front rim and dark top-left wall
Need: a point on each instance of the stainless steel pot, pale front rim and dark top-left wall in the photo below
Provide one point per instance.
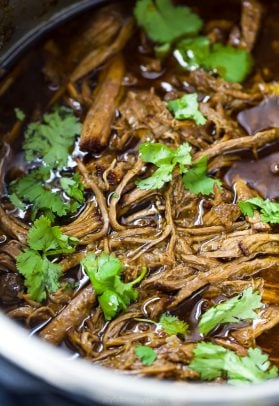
(18, 28)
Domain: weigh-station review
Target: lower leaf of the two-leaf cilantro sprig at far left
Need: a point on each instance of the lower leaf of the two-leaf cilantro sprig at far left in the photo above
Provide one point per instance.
(40, 275)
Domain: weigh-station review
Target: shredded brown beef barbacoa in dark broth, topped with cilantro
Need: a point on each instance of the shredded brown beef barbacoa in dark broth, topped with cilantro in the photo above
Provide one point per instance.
(139, 176)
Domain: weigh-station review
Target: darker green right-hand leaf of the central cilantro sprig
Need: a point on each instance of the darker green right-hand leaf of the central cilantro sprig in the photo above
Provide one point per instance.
(196, 179)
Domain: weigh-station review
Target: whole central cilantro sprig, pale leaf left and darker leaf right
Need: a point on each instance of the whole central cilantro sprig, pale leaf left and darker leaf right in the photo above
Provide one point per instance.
(194, 174)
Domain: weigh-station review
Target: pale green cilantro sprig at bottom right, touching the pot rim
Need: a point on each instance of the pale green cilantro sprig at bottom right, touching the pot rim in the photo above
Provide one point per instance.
(212, 361)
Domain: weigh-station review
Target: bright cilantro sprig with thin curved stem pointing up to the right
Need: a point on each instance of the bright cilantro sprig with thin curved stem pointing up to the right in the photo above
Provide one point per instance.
(104, 273)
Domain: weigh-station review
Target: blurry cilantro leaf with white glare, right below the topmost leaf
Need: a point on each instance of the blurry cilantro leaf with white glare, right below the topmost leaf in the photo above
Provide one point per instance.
(232, 64)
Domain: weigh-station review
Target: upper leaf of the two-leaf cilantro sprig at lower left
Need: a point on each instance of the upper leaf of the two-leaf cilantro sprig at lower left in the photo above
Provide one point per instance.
(43, 237)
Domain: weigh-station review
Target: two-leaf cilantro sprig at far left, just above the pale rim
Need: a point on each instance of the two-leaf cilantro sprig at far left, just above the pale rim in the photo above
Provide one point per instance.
(40, 274)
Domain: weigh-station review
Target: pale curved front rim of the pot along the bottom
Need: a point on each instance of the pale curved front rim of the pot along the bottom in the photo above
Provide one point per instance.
(102, 384)
